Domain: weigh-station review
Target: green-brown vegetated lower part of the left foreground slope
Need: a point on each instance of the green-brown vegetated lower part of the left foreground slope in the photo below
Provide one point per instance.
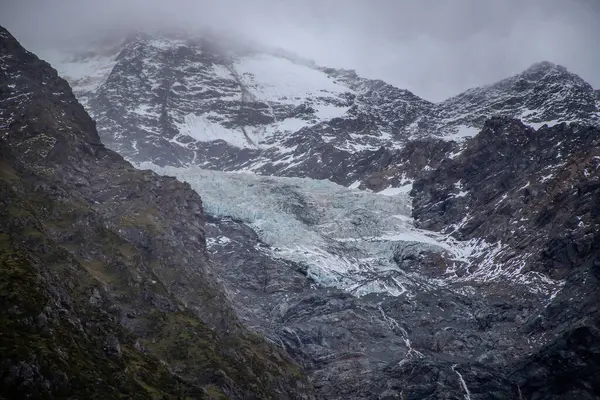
(61, 305)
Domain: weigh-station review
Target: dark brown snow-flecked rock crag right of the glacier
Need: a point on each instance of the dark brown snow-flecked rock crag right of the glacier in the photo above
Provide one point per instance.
(535, 192)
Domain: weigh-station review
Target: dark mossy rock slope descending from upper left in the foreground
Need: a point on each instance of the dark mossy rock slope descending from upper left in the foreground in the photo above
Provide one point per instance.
(106, 287)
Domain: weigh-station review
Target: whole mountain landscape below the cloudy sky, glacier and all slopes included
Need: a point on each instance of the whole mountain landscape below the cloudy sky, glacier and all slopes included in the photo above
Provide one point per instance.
(262, 227)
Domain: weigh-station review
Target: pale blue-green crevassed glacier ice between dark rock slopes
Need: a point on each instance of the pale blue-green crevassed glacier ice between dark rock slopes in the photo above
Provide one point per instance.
(345, 238)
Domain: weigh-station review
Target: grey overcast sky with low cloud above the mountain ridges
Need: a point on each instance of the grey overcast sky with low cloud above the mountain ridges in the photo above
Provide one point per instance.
(435, 48)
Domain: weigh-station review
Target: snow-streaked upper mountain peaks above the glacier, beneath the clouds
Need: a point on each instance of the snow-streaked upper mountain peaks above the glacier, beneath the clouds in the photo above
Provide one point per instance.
(178, 101)
